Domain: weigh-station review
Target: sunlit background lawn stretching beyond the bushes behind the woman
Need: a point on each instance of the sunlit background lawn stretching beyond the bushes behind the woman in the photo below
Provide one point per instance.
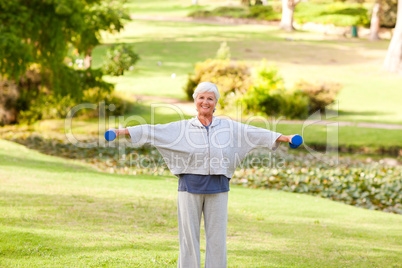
(369, 94)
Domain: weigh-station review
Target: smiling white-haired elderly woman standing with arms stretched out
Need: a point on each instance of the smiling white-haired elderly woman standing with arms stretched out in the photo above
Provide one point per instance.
(203, 152)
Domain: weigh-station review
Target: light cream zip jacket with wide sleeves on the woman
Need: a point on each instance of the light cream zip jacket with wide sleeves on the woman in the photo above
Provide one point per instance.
(187, 146)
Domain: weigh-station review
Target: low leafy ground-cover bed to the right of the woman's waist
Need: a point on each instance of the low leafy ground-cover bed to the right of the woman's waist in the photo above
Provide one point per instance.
(372, 186)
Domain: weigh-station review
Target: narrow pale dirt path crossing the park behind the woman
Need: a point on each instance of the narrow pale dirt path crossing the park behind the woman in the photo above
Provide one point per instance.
(187, 107)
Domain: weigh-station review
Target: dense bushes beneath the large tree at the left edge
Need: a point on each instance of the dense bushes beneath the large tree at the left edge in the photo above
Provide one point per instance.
(32, 99)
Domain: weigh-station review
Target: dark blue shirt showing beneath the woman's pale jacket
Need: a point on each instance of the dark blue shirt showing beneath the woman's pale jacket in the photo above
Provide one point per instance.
(203, 184)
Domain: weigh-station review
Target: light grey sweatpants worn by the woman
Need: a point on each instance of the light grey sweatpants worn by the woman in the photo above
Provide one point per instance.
(189, 209)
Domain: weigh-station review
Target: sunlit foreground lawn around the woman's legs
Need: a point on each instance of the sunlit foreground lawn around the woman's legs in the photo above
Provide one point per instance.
(57, 213)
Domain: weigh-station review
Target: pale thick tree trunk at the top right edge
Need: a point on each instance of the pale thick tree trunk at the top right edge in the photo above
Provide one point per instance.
(393, 60)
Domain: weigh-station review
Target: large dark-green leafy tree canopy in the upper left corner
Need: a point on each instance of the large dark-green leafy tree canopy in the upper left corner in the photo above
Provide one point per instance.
(42, 31)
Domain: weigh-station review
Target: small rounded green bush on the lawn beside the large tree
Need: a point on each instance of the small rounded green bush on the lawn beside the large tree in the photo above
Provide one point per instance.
(120, 58)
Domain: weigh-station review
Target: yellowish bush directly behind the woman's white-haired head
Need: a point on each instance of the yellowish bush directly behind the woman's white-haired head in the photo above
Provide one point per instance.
(231, 78)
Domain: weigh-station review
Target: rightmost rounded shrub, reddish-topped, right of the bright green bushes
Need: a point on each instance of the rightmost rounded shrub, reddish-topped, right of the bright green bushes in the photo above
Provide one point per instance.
(320, 94)
